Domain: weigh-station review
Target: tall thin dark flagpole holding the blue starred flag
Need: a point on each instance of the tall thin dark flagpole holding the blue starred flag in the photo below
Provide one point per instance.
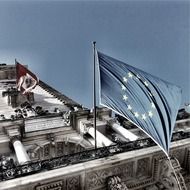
(94, 92)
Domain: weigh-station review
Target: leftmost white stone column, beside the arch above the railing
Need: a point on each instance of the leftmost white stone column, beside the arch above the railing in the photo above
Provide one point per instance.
(20, 151)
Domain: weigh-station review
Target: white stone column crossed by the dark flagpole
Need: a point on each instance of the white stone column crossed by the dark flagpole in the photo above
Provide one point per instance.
(101, 139)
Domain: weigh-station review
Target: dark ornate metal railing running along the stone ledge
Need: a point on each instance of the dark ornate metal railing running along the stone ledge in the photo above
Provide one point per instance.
(13, 171)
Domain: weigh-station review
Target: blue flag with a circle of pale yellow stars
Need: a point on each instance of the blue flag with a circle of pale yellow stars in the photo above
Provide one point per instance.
(147, 101)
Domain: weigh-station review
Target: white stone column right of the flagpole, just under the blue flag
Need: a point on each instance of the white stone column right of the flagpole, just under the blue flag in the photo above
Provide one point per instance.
(123, 132)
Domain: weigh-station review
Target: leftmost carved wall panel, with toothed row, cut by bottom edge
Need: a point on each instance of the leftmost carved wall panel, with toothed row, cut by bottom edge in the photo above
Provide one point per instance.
(57, 185)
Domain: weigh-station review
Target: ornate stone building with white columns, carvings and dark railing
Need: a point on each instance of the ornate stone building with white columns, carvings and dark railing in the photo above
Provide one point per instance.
(47, 143)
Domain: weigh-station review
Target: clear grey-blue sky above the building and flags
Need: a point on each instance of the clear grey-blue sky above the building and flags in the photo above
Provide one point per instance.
(54, 38)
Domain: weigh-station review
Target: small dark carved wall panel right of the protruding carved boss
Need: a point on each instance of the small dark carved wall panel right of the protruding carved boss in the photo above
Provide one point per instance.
(143, 167)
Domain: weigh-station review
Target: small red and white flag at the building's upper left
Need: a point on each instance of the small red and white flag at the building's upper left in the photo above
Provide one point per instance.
(26, 80)
